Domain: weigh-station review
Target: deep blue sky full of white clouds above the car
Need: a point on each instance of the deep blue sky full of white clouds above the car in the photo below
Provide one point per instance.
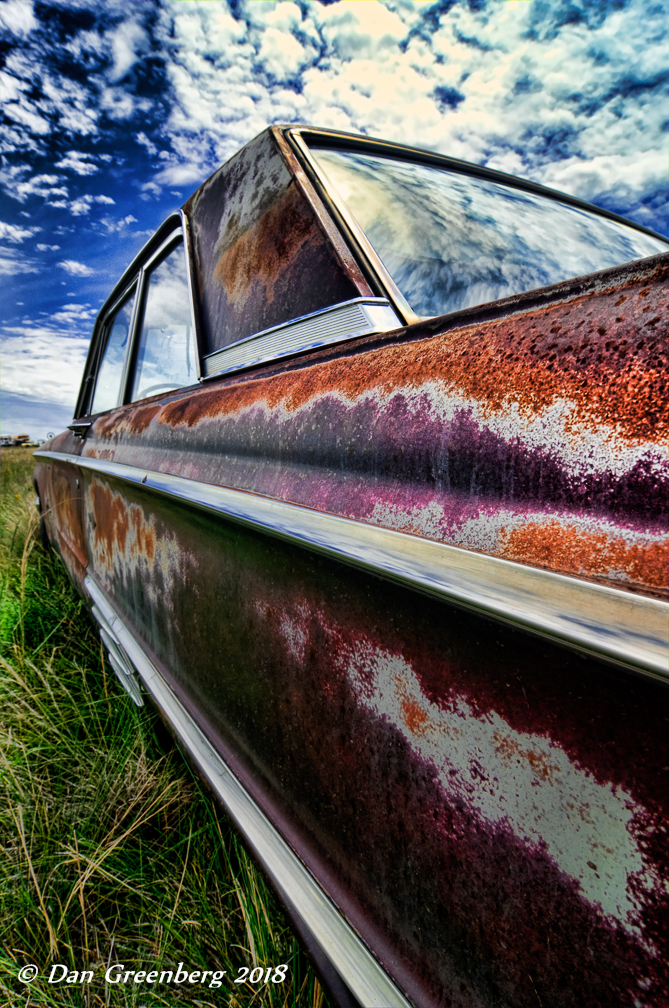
(114, 111)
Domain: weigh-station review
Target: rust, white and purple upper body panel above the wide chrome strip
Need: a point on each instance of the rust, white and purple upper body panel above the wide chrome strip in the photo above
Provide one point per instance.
(536, 436)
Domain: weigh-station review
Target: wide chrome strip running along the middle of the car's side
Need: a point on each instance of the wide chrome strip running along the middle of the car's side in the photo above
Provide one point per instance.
(621, 627)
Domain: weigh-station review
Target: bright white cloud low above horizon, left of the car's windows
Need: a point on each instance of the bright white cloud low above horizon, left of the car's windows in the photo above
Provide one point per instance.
(39, 361)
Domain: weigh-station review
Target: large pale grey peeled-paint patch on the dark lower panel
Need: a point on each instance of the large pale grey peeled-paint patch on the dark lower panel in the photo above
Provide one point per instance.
(511, 780)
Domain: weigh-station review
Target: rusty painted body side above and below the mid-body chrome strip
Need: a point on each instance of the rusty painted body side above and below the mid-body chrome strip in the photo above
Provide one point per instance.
(486, 808)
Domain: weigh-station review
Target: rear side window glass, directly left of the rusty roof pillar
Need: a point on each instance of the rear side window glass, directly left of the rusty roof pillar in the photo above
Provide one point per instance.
(167, 352)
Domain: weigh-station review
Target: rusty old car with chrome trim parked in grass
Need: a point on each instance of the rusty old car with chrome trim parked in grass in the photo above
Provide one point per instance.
(367, 491)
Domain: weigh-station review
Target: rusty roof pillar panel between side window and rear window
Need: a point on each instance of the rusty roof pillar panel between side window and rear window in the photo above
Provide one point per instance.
(262, 257)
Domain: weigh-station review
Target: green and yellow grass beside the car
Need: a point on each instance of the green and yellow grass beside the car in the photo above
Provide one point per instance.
(111, 852)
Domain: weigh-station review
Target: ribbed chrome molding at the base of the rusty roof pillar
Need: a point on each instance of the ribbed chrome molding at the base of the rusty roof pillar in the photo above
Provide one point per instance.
(359, 317)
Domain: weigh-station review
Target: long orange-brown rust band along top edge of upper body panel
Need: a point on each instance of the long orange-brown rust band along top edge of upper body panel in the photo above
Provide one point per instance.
(611, 361)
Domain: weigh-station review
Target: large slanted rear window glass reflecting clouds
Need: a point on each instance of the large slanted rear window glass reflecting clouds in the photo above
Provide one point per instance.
(451, 241)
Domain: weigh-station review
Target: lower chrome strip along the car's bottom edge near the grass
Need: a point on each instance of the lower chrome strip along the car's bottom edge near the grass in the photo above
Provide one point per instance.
(345, 950)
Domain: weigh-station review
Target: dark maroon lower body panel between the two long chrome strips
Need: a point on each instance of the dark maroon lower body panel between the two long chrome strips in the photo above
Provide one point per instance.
(489, 811)
